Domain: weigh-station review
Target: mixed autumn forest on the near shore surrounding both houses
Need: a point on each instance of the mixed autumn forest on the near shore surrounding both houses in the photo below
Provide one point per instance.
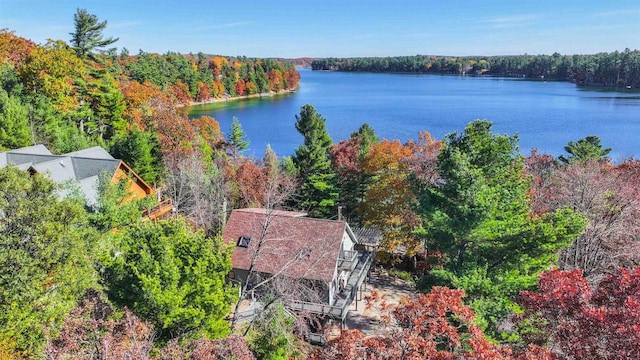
(509, 256)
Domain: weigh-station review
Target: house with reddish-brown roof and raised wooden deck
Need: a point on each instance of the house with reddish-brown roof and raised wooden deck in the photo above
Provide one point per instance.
(326, 253)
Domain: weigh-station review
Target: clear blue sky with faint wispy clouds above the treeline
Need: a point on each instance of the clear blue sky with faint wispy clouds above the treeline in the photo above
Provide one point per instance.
(342, 28)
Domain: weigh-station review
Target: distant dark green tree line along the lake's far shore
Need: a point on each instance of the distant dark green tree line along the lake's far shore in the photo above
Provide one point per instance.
(615, 69)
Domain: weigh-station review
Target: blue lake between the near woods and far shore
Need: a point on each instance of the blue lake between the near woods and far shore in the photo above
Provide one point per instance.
(545, 115)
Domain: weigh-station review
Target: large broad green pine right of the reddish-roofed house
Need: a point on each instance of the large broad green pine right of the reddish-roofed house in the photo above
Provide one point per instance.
(479, 217)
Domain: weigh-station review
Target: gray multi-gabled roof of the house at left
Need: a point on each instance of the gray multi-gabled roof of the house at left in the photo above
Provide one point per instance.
(81, 169)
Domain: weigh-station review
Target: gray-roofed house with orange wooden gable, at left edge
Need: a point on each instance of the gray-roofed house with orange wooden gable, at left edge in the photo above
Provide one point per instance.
(81, 171)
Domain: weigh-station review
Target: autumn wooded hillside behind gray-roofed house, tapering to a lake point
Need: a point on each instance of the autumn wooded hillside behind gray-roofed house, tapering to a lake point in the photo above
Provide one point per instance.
(74, 98)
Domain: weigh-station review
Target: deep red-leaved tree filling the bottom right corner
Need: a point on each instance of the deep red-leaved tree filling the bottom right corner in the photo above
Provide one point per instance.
(585, 324)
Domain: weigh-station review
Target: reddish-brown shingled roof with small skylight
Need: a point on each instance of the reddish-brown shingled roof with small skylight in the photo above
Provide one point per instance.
(293, 245)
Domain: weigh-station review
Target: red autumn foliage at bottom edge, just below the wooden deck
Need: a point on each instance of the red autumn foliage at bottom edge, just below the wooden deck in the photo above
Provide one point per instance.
(436, 325)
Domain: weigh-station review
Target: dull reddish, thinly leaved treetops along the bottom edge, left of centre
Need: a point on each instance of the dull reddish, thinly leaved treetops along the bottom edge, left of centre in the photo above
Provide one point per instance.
(92, 331)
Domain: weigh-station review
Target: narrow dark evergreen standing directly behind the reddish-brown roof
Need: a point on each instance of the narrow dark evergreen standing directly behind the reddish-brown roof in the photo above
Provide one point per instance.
(318, 190)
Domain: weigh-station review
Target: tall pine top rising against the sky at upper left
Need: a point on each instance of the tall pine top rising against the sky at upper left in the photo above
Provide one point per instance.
(88, 33)
